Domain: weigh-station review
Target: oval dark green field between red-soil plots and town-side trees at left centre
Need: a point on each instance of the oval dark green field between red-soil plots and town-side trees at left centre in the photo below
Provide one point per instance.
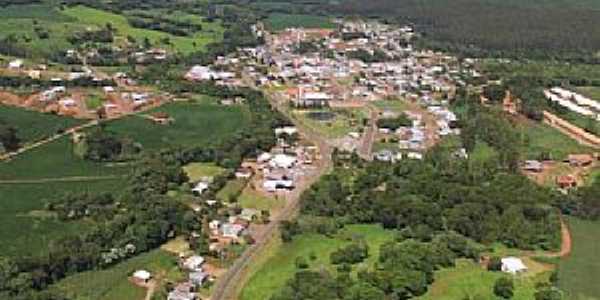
(196, 124)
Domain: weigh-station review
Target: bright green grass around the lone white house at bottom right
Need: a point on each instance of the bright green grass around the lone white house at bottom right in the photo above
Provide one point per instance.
(470, 279)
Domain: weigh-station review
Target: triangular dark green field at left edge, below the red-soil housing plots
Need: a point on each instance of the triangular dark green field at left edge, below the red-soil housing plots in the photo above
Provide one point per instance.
(31, 125)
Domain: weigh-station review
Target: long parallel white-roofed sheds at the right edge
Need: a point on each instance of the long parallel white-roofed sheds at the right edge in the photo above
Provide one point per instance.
(574, 102)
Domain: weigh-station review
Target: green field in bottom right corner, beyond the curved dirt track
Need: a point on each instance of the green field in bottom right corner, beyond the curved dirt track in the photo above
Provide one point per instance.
(579, 272)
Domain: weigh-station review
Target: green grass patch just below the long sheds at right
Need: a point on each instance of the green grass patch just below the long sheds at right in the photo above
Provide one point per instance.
(542, 138)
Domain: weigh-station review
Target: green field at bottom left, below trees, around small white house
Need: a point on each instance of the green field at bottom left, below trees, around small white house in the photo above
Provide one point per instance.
(113, 283)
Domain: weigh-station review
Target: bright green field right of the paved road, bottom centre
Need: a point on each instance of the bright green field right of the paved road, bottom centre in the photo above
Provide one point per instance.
(280, 267)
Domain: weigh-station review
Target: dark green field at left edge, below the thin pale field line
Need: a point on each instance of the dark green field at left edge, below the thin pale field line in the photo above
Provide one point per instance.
(26, 227)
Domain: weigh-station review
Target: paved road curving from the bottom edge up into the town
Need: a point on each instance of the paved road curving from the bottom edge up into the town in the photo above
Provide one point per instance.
(228, 284)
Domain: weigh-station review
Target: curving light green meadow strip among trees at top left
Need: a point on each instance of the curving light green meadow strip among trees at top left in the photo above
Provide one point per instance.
(183, 44)
